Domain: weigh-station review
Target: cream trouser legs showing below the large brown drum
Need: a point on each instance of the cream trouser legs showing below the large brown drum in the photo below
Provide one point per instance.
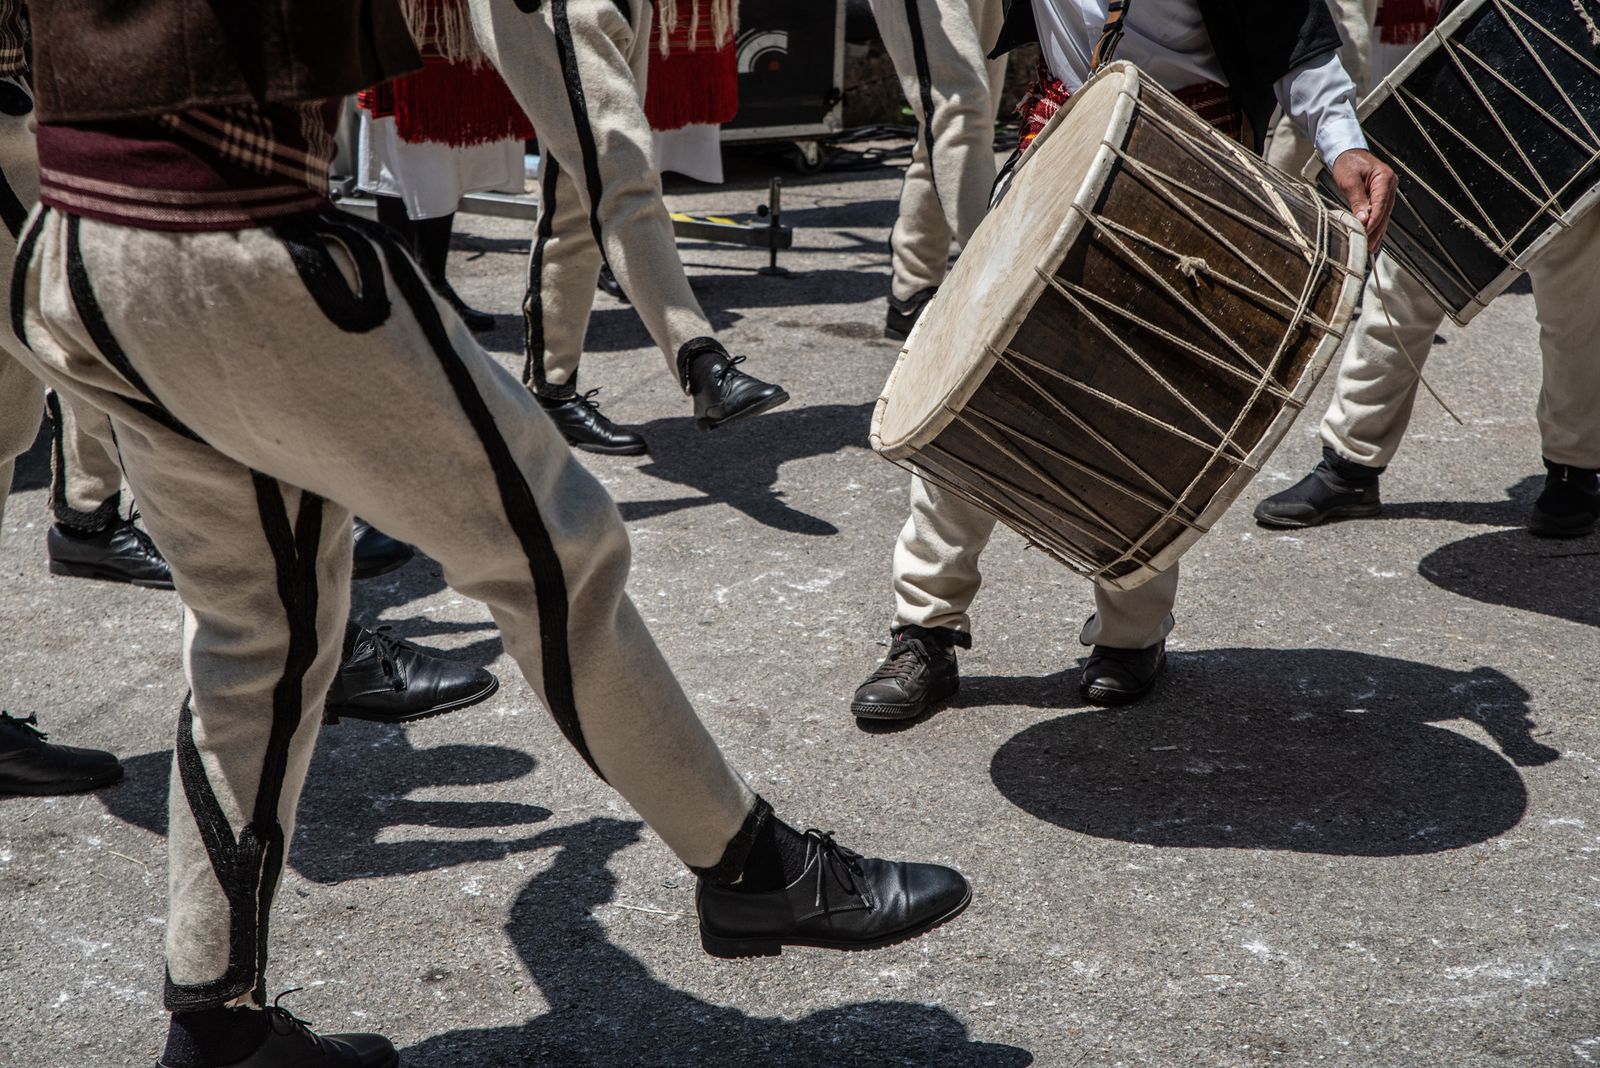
(937, 576)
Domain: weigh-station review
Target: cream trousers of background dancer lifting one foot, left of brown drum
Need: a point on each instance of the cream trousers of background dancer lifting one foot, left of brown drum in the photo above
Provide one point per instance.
(578, 68)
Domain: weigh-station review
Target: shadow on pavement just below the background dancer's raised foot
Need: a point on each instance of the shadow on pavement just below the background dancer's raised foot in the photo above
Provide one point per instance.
(745, 479)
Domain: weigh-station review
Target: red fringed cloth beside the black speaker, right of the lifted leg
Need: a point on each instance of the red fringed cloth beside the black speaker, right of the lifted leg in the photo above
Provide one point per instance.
(694, 78)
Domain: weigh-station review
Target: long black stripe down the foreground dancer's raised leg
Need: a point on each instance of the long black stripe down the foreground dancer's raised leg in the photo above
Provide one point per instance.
(522, 508)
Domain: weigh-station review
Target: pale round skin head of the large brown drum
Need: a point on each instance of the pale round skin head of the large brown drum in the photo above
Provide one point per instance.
(996, 279)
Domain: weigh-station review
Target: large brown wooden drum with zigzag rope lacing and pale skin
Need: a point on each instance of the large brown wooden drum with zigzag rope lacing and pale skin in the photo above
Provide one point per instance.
(1127, 337)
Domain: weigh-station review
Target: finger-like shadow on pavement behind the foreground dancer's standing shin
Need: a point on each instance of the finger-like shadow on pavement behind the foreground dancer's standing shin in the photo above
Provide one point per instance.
(358, 794)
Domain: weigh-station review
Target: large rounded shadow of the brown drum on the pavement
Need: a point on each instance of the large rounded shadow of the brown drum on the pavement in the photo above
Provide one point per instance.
(1310, 751)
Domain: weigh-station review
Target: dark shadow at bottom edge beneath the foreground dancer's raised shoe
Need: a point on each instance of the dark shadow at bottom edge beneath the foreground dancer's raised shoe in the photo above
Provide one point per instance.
(607, 1010)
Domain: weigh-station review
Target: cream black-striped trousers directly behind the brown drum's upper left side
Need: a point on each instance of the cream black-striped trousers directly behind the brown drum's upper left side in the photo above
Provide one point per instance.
(940, 49)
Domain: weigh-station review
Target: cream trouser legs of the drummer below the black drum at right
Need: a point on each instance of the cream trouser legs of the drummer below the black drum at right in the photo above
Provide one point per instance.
(1380, 373)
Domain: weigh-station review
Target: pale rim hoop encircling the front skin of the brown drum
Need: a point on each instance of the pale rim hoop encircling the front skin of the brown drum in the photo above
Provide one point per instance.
(1097, 175)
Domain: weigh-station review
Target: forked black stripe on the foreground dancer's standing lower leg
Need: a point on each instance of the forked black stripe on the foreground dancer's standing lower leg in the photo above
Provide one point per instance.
(249, 867)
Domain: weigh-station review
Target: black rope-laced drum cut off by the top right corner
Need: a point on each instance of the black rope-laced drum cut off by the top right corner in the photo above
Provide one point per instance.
(1492, 127)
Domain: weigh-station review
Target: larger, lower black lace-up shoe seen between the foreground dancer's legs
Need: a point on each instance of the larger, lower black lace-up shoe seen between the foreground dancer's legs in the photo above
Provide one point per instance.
(388, 680)
